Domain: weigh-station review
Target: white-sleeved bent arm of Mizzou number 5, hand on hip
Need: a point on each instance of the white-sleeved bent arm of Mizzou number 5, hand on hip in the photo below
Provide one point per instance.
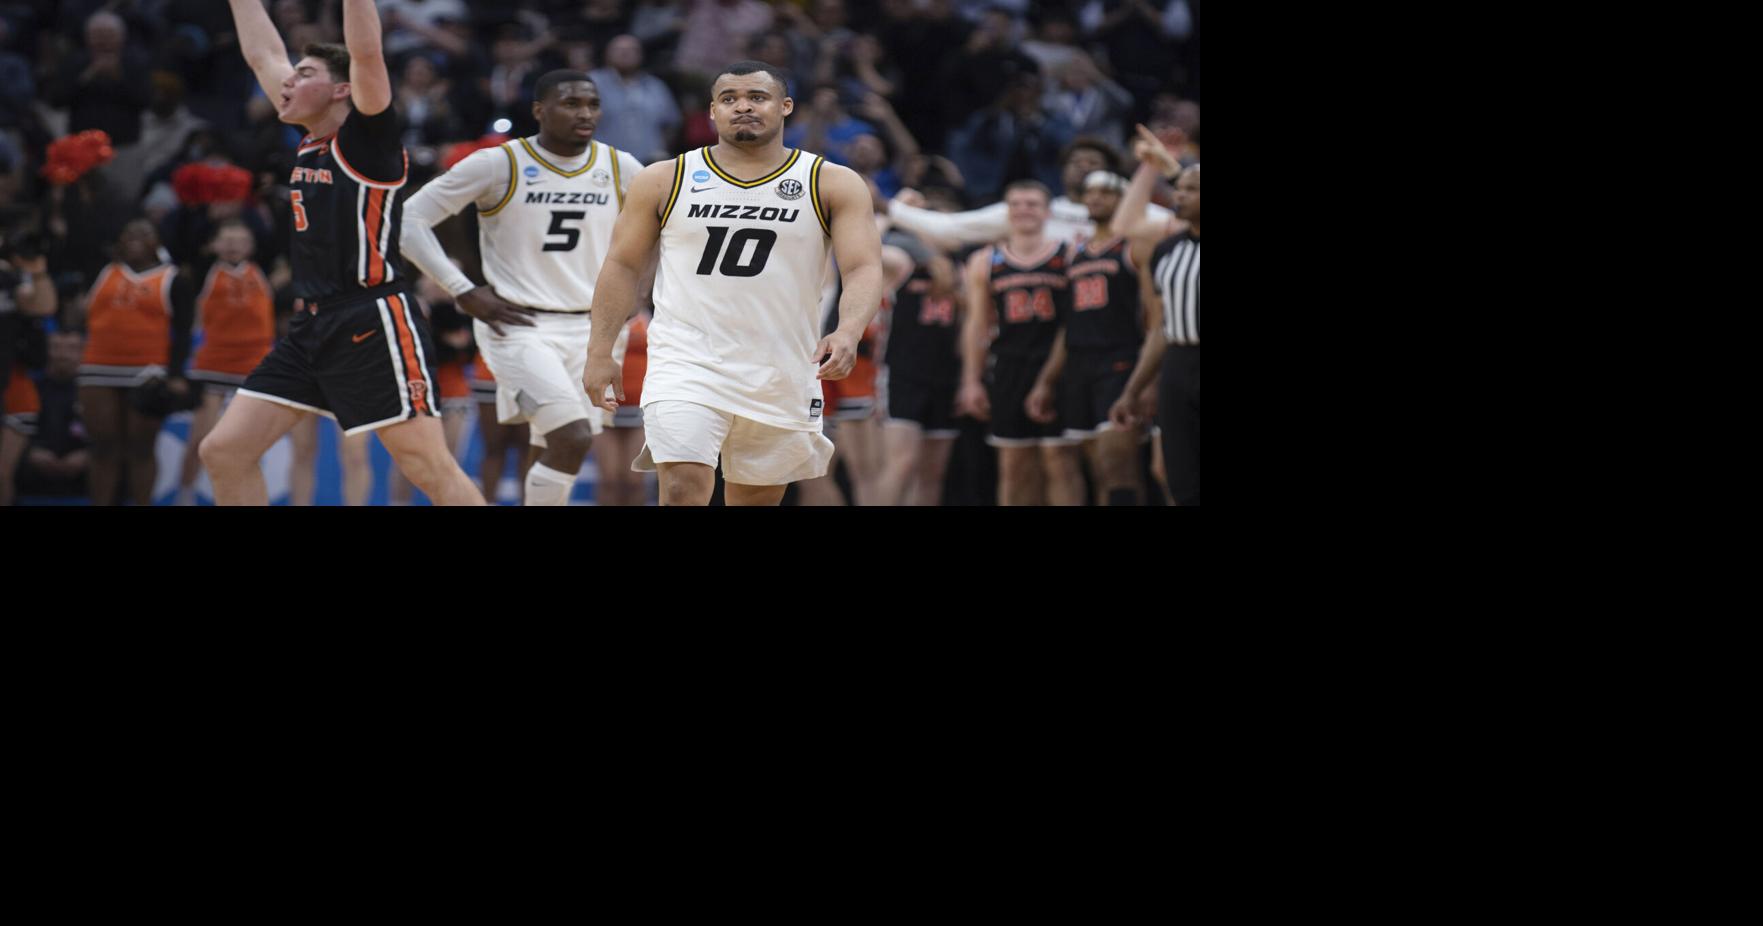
(482, 177)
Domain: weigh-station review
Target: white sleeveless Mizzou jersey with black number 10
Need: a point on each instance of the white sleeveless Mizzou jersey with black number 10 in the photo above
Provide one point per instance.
(738, 292)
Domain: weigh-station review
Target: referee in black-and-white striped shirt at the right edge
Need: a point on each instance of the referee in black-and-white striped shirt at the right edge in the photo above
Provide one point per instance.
(1172, 288)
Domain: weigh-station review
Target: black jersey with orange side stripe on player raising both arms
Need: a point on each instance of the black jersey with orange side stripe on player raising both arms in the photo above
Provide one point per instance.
(345, 195)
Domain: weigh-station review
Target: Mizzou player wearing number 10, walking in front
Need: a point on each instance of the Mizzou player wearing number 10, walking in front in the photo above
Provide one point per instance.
(734, 361)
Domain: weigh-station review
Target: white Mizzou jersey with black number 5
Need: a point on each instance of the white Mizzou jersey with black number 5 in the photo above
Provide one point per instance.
(554, 209)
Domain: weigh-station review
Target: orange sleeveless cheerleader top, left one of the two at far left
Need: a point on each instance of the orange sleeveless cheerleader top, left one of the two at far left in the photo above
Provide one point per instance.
(130, 318)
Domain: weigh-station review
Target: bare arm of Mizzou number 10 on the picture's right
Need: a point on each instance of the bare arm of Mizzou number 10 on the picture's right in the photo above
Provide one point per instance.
(858, 248)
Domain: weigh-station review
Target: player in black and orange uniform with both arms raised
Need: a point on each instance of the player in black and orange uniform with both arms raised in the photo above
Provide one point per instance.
(357, 350)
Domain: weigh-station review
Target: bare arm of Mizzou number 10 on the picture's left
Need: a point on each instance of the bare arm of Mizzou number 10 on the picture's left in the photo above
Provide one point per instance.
(634, 239)
